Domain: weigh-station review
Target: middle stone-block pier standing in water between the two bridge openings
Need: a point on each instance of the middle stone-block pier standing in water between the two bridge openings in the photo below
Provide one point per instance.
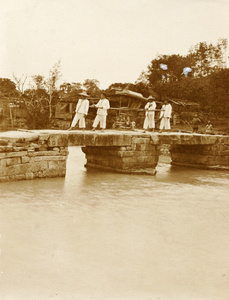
(140, 157)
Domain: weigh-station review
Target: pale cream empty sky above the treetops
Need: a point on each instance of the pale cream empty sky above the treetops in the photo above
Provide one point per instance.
(108, 40)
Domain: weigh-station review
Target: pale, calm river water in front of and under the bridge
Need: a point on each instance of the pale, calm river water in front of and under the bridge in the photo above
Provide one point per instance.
(99, 235)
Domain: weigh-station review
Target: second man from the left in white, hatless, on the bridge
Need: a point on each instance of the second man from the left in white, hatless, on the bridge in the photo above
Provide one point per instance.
(103, 105)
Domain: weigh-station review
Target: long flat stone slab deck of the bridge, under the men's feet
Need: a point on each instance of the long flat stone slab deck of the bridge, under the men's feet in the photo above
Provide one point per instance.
(113, 137)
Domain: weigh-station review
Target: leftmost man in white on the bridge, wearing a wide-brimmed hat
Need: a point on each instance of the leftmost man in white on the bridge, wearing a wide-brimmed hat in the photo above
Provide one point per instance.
(81, 111)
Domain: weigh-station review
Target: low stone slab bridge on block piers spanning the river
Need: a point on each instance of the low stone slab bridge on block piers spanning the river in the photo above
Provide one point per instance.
(43, 153)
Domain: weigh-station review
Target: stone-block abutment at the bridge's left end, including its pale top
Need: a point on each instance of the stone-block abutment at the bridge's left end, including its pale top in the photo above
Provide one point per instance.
(25, 155)
